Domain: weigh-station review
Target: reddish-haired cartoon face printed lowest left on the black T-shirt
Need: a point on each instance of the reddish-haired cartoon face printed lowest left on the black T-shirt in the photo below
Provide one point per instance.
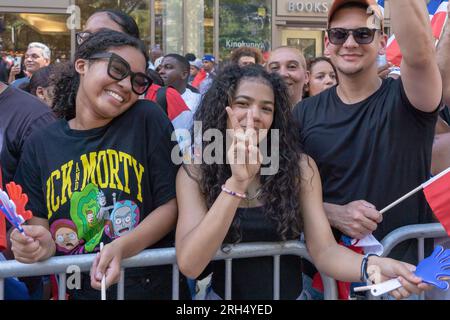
(65, 234)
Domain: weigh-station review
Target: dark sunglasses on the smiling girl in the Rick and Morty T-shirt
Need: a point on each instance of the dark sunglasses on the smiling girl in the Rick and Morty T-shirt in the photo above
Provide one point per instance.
(119, 69)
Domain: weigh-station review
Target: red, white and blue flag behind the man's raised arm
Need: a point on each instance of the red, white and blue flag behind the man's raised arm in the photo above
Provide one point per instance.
(437, 10)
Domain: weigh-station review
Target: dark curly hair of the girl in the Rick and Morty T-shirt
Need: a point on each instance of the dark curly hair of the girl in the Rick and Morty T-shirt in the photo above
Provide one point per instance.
(68, 80)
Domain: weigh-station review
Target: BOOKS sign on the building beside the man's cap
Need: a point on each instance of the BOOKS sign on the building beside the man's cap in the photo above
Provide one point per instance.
(305, 7)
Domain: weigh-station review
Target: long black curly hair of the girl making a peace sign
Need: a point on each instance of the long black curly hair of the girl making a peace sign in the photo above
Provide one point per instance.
(280, 191)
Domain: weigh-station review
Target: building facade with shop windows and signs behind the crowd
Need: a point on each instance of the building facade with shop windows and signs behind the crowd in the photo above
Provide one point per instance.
(181, 26)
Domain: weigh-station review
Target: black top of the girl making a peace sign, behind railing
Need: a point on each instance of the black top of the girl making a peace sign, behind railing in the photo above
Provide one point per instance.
(252, 278)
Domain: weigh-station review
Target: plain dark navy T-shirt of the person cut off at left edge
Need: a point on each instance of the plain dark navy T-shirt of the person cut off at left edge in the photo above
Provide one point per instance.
(20, 114)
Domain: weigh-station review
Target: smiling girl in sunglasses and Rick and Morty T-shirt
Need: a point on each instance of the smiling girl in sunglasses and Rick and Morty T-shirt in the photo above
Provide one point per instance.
(104, 173)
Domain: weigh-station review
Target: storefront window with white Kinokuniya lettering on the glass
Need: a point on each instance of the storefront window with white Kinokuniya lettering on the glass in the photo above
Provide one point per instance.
(244, 23)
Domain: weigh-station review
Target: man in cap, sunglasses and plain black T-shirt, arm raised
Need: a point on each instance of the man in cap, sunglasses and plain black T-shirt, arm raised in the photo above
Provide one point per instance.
(372, 138)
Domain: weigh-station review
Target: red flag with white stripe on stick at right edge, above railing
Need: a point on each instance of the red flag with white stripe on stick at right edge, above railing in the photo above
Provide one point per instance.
(437, 193)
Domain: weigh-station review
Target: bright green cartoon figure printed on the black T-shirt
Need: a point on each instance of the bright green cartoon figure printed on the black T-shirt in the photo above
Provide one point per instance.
(84, 209)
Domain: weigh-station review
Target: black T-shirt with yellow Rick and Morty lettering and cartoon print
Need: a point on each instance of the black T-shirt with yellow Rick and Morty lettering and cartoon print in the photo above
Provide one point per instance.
(96, 185)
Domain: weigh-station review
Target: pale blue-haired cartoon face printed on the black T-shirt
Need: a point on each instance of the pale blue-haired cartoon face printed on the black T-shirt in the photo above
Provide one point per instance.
(124, 218)
